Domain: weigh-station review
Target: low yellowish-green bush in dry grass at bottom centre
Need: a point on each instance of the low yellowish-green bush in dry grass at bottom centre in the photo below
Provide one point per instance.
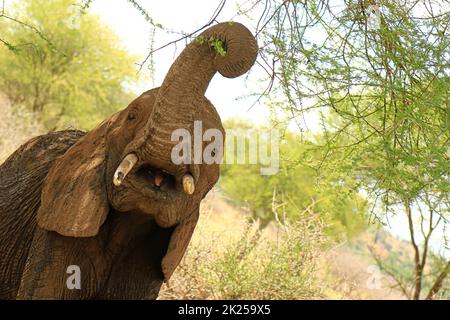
(280, 270)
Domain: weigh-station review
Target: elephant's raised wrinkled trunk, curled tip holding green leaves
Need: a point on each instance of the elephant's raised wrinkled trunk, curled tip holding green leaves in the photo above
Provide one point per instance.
(229, 48)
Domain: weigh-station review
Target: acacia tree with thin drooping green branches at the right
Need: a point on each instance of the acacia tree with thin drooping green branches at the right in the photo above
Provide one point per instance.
(378, 73)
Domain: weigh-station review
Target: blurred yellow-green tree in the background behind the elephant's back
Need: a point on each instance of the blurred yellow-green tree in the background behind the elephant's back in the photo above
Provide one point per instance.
(72, 72)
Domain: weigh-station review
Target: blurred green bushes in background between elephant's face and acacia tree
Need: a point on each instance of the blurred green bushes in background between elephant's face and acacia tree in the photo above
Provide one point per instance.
(297, 190)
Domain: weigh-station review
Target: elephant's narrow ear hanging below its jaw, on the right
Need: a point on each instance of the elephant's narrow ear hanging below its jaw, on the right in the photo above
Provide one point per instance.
(178, 244)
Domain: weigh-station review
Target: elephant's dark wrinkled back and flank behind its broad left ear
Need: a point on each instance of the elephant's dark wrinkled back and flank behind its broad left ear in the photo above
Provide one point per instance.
(21, 177)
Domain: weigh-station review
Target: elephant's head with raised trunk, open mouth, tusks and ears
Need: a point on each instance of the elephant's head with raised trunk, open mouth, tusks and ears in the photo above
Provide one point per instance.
(125, 163)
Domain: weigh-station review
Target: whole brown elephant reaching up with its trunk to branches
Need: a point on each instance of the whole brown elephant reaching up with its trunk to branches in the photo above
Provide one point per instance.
(112, 202)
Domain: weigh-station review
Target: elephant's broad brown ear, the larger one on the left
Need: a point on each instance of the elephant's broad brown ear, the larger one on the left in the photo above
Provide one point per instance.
(73, 199)
